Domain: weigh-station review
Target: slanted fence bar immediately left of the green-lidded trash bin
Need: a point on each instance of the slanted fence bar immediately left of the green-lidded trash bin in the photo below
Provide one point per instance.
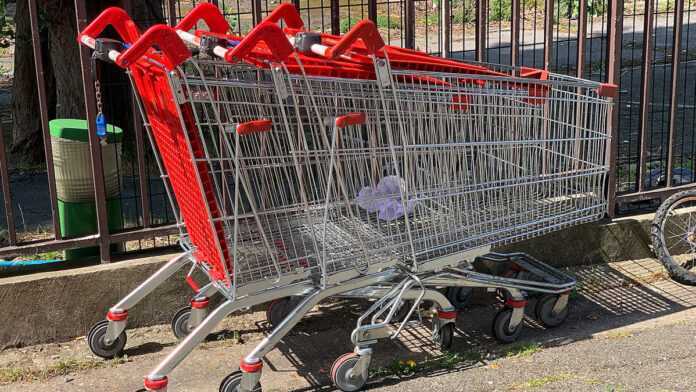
(43, 108)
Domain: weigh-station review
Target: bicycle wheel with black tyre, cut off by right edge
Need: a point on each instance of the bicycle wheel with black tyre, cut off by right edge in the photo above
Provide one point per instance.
(673, 233)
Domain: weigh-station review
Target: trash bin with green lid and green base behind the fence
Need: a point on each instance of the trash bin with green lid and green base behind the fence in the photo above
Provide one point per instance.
(74, 184)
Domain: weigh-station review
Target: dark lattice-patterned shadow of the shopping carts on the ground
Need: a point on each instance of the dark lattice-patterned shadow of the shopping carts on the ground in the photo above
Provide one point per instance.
(608, 296)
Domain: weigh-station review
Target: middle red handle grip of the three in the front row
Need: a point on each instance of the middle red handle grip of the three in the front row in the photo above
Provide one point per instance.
(265, 32)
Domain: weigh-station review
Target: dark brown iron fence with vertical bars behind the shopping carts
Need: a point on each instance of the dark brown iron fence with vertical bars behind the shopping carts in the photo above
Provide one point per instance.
(648, 48)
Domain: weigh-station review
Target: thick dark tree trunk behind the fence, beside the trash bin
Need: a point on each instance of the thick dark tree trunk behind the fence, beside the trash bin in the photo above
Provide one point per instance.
(61, 57)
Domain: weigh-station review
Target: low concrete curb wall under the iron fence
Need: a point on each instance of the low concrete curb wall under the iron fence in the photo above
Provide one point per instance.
(62, 305)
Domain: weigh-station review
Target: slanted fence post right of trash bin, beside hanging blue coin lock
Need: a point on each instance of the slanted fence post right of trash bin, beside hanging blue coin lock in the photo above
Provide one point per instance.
(94, 144)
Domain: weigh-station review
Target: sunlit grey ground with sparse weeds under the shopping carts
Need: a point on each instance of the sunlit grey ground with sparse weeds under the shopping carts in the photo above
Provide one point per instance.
(630, 330)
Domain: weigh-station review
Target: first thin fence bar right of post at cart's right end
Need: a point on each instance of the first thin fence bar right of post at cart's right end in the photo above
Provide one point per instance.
(645, 92)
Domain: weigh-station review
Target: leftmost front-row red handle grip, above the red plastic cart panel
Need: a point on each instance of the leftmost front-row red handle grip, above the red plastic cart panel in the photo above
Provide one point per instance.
(165, 38)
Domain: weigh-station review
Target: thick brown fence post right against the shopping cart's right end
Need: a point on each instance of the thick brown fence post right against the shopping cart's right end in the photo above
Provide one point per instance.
(615, 28)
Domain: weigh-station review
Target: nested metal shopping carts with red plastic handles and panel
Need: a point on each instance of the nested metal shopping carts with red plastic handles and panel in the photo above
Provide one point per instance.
(332, 178)
